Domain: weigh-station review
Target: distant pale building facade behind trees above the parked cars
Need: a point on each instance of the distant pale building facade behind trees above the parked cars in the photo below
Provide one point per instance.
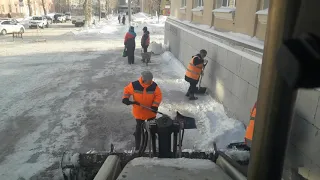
(20, 8)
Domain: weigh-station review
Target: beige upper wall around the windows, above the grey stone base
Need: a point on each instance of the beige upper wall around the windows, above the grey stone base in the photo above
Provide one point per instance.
(245, 20)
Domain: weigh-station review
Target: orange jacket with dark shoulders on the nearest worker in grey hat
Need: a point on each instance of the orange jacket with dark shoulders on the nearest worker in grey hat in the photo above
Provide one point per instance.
(147, 95)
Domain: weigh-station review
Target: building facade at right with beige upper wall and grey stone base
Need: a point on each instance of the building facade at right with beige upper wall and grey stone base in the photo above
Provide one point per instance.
(233, 33)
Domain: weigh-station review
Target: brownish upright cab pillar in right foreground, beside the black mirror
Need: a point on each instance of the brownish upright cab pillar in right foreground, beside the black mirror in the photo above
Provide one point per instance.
(276, 98)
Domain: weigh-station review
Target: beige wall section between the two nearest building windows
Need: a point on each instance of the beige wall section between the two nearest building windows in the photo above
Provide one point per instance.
(245, 19)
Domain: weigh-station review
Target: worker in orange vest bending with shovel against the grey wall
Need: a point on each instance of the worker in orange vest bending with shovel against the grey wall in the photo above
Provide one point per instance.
(194, 70)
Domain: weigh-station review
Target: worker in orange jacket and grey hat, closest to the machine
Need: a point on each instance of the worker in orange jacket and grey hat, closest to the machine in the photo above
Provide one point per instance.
(144, 92)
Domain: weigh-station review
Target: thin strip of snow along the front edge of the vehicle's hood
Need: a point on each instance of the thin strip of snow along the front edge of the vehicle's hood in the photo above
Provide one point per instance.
(191, 164)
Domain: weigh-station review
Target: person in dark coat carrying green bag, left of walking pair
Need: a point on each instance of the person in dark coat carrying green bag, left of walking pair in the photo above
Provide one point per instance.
(130, 44)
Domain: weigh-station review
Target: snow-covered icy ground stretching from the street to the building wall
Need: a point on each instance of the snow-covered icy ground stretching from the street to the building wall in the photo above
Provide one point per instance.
(65, 94)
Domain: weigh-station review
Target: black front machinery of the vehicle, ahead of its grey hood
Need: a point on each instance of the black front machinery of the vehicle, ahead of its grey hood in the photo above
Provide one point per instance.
(169, 132)
